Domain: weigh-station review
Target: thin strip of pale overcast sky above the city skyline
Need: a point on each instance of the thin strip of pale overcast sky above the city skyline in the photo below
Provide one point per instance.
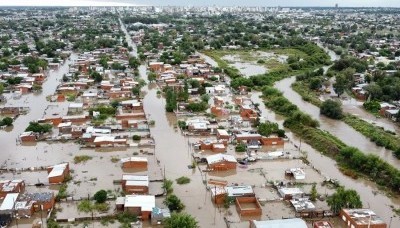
(344, 3)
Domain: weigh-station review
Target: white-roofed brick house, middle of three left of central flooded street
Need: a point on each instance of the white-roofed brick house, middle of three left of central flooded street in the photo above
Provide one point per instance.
(133, 184)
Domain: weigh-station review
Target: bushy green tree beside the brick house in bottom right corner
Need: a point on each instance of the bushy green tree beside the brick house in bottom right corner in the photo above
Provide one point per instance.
(344, 199)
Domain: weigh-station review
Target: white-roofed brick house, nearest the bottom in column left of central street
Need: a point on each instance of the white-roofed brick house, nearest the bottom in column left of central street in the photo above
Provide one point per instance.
(140, 205)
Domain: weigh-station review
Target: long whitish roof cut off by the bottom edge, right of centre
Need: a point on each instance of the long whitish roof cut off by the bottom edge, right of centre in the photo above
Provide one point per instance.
(279, 223)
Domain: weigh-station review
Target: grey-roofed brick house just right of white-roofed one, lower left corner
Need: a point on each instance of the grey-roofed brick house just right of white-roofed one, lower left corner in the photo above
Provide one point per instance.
(40, 199)
